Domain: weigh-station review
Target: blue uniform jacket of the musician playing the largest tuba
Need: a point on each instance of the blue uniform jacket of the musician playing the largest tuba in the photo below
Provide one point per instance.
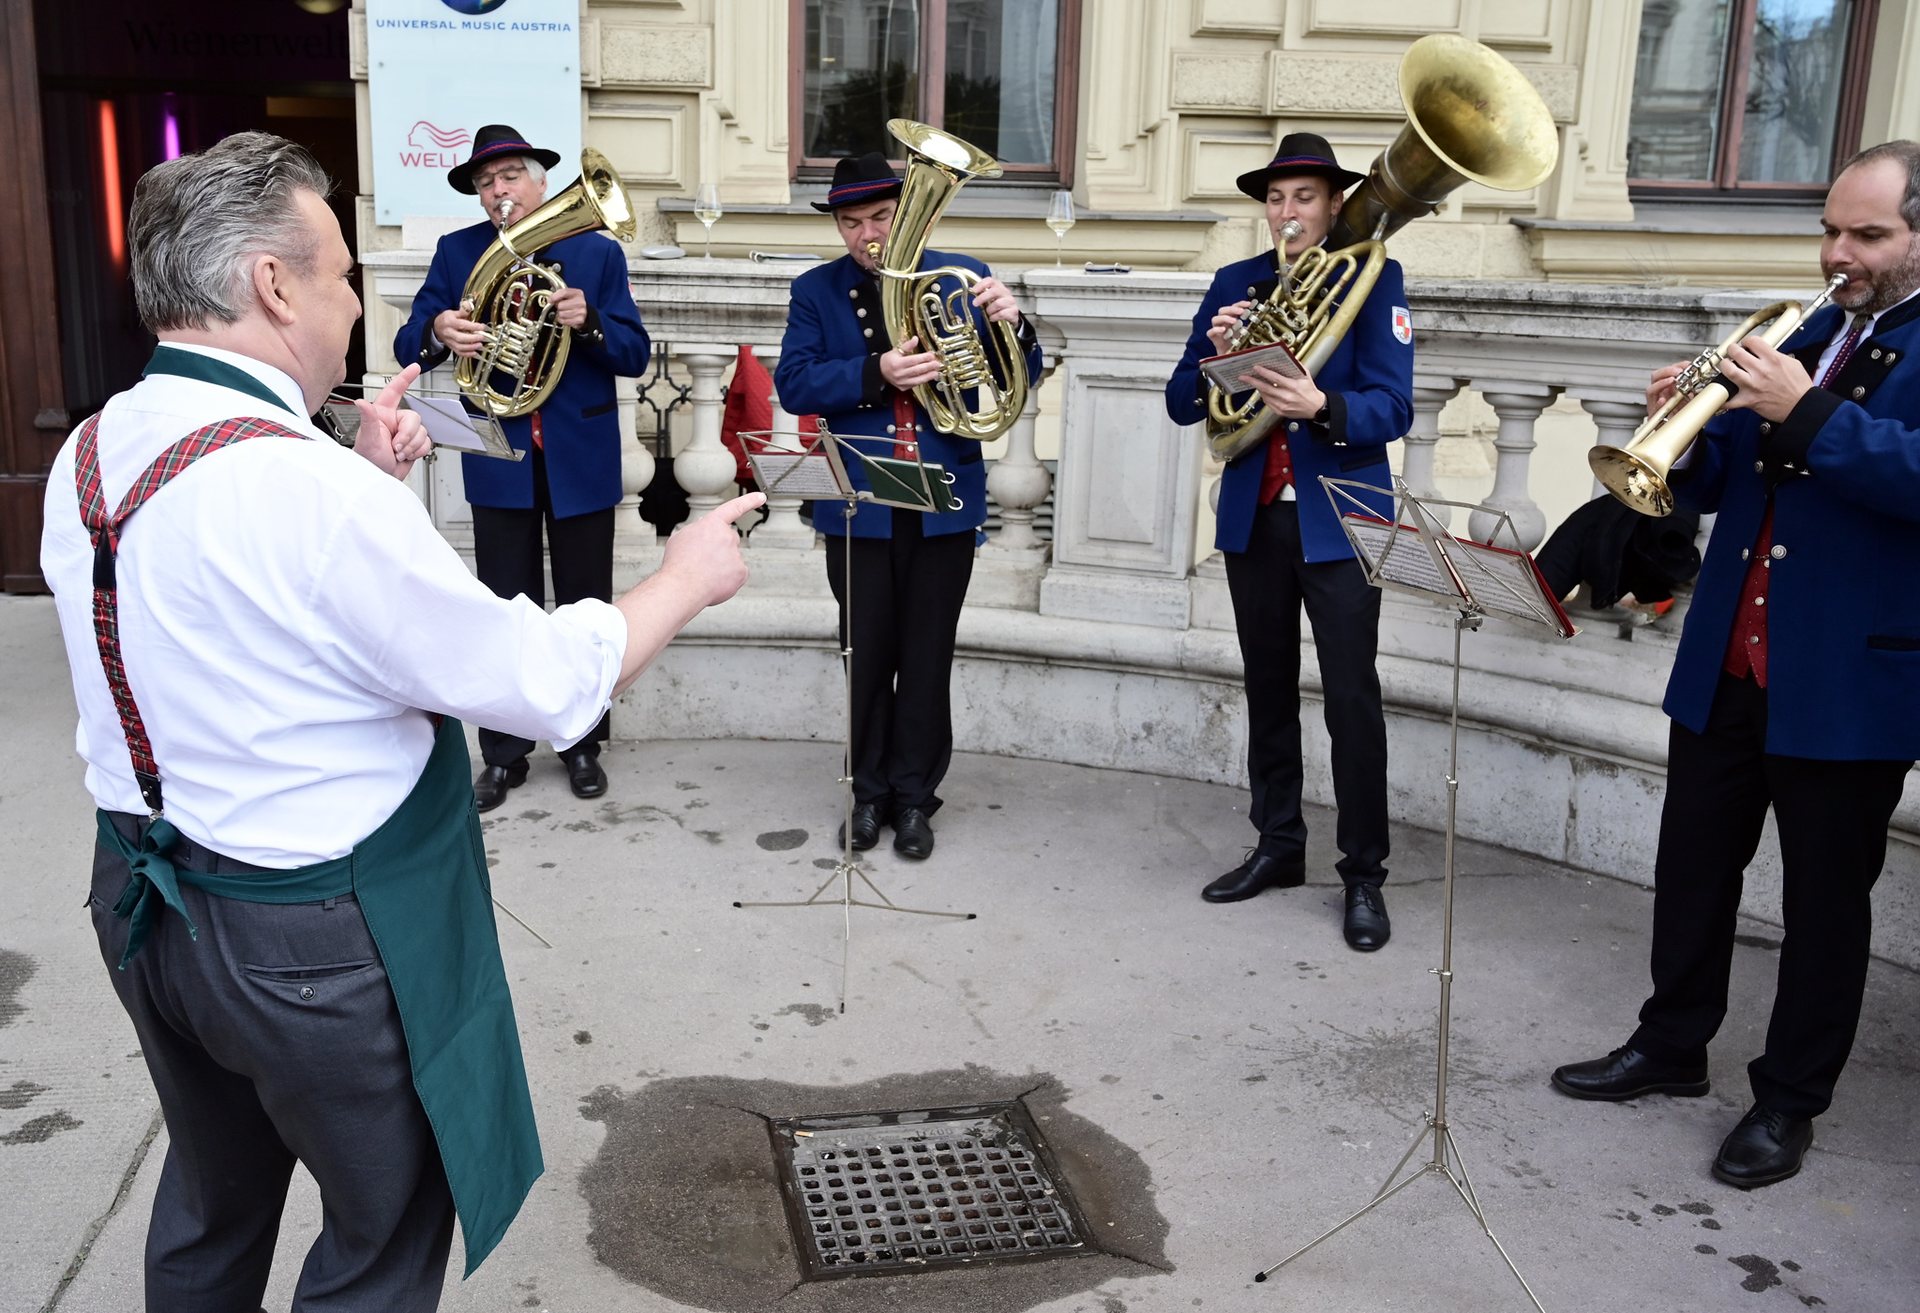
(1370, 404)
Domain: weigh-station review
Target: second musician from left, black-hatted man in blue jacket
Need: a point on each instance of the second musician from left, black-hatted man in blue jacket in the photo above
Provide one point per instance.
(909, 569)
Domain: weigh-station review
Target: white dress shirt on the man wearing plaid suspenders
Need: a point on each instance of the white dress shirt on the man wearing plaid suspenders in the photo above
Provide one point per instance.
(289, 615)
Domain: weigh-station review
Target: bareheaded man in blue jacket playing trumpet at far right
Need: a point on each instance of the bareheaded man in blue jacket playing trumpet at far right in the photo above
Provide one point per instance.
(1798, 679)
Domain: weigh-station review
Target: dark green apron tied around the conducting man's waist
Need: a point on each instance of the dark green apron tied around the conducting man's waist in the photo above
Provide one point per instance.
(423, 888)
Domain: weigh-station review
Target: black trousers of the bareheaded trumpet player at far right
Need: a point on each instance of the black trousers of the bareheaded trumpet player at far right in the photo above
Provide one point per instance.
(1833, 821)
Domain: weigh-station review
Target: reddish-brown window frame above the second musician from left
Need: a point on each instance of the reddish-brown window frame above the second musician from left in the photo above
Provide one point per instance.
(932, 107)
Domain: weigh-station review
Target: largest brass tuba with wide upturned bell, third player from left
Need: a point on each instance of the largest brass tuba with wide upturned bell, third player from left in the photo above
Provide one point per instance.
(1472, 118)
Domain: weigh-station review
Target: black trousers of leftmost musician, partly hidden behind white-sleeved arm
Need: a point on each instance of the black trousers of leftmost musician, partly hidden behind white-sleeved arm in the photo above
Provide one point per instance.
(508, 561)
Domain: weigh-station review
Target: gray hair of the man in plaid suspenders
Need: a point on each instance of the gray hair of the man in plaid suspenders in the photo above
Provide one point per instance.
(201, 222)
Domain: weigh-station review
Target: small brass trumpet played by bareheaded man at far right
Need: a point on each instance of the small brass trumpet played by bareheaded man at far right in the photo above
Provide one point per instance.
(1639, 471)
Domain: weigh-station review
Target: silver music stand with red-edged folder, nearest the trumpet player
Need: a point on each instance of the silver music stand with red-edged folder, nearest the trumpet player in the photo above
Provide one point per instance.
(1416, 554)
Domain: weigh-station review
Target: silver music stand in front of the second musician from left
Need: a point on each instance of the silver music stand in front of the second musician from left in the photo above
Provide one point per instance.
(817, 469)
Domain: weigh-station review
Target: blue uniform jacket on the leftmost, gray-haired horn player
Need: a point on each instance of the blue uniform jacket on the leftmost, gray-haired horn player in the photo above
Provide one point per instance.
(581, 421)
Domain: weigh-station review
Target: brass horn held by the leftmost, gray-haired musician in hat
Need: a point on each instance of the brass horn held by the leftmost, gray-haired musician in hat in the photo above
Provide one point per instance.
(514, 297)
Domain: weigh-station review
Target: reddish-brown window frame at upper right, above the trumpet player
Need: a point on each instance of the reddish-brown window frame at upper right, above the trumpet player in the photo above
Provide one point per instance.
(1735, 78)
